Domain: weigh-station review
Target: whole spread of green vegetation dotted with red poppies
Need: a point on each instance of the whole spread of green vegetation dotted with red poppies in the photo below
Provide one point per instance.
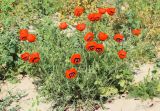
(94, 63)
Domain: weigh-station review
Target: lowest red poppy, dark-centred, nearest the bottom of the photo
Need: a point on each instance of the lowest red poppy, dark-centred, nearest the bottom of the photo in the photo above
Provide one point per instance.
(71, 73)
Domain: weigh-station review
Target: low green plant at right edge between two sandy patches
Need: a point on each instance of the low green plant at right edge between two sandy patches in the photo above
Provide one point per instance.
(149, 88)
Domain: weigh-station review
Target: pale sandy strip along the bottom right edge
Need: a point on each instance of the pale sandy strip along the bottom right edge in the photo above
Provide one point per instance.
(125, 104)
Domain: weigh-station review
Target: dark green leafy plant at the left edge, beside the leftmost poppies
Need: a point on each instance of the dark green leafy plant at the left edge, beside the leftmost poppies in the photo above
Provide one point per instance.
(8, 53)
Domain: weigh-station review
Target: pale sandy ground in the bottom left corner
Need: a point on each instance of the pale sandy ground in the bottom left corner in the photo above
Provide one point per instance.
(28, 102)
